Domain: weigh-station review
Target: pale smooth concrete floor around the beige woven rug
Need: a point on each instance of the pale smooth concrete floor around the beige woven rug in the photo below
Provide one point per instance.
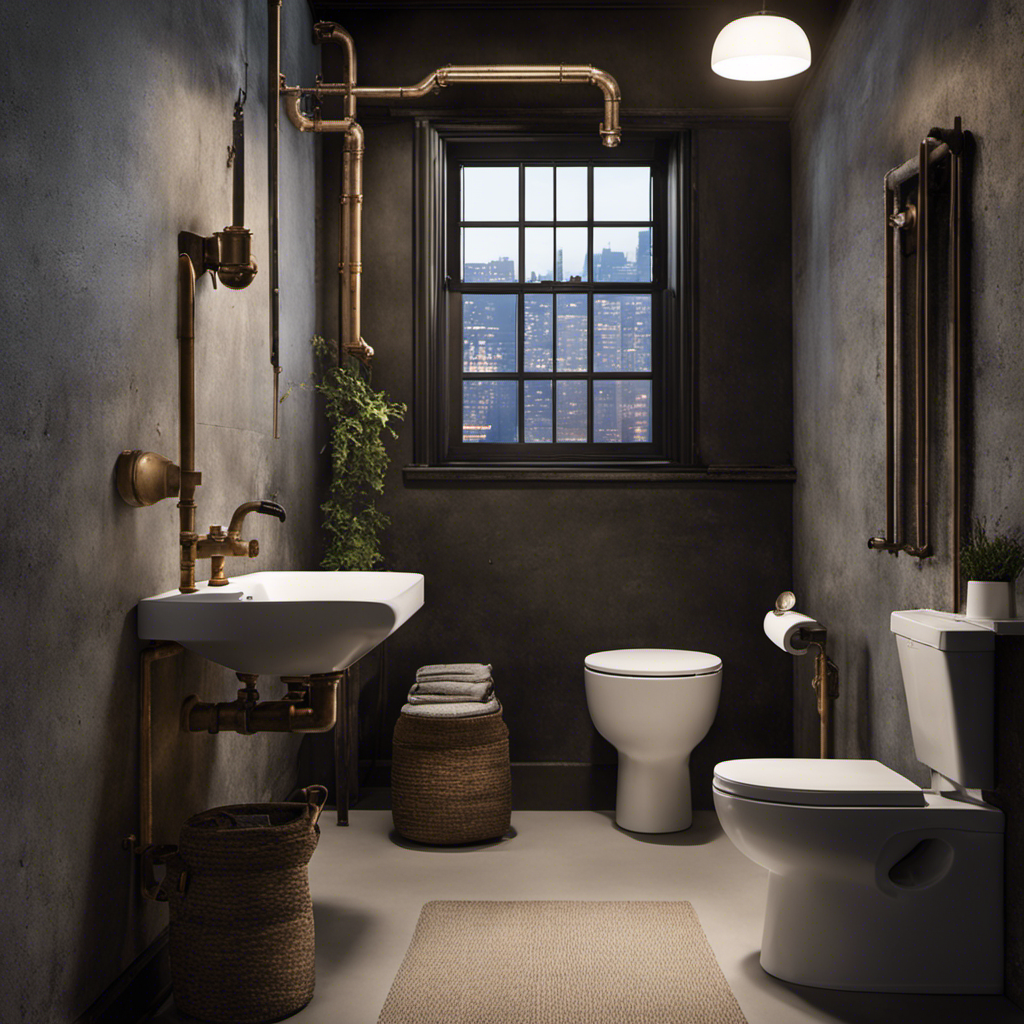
(368, 891)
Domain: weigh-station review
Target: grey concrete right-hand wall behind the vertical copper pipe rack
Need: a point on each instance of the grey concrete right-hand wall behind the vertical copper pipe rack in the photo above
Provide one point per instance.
(893, 71)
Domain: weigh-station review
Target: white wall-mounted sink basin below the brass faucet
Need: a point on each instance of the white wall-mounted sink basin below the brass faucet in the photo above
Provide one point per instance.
(285, 624)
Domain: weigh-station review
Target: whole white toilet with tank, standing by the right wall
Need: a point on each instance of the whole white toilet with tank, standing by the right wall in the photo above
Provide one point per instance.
(875, 884)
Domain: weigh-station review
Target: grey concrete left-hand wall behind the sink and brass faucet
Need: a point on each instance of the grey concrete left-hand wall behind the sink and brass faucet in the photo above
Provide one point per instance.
(117, 122)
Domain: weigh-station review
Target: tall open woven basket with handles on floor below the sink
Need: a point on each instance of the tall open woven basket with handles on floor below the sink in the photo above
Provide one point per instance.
(242, 919)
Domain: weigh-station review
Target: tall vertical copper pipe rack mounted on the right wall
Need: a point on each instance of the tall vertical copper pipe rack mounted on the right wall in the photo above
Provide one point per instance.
(909, 224)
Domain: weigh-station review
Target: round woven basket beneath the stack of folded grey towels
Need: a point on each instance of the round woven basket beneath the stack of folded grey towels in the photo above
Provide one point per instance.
(450, 779)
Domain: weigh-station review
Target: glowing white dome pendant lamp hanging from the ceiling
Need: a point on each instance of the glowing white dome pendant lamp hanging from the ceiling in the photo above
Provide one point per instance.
(761, 48)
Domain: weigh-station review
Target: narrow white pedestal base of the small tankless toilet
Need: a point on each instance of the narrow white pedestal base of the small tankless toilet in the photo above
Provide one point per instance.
(654, 796)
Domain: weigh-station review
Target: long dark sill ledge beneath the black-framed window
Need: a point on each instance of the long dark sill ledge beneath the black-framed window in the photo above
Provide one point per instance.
(652, 474)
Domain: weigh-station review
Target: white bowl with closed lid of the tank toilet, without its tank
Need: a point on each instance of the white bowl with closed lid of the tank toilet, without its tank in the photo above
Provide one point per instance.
(874, 884)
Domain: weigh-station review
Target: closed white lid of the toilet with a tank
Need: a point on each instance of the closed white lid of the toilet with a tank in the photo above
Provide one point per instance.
(835, 783)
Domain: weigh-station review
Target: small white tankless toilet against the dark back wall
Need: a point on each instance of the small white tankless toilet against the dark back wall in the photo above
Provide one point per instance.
(654, 707)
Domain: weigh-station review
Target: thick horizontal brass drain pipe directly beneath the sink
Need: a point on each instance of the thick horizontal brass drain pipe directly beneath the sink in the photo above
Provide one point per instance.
(310, 706)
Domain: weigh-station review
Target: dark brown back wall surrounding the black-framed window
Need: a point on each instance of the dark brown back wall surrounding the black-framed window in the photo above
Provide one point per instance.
(532, 578)
